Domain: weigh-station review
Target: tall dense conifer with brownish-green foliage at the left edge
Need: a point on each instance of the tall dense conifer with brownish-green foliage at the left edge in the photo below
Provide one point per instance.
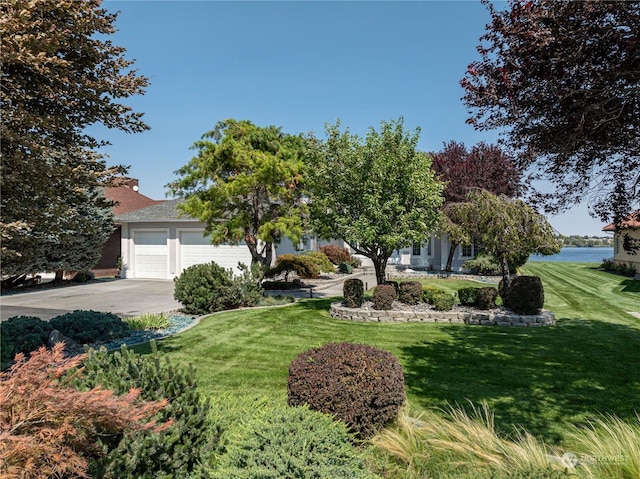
(60, 75)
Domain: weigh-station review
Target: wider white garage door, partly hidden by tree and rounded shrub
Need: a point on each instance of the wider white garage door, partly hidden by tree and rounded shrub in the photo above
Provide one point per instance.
(196, 249)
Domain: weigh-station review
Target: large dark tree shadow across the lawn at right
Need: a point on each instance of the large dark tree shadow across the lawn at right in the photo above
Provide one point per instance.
(540, 379)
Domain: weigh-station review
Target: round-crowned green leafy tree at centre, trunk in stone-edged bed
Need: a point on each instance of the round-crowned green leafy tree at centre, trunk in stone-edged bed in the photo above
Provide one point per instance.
(378, 194)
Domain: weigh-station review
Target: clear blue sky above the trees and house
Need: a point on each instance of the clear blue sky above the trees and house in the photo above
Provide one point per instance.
(297, 65)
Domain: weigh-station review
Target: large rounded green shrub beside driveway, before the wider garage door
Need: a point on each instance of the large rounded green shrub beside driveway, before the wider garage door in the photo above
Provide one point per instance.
(207, 288)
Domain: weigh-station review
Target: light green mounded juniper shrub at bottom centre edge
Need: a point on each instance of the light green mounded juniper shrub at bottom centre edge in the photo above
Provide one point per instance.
(291, 442)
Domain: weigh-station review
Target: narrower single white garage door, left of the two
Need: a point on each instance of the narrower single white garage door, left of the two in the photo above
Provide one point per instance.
(151, 254)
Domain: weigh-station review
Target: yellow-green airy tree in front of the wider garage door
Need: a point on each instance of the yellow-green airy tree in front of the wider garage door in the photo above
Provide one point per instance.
(246, 184)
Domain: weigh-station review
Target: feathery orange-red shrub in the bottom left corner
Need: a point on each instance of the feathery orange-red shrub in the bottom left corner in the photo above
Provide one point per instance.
(49, 429)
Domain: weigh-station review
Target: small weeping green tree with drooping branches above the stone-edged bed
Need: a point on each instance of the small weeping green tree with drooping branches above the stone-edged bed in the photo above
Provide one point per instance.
(508, 229)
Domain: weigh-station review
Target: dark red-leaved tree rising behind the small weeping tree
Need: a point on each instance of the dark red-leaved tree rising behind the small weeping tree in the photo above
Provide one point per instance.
(484, 166)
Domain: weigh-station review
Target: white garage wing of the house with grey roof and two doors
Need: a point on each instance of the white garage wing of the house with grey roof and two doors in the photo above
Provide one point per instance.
(158, 243)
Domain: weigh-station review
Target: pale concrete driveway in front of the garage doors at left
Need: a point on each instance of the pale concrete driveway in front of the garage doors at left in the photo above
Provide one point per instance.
(124, 297)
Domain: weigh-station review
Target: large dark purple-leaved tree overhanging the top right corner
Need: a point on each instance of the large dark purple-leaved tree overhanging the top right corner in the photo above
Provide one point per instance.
(562, 80)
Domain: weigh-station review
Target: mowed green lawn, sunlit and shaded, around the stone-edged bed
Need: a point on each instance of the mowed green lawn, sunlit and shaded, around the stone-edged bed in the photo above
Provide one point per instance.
(543, 379)
